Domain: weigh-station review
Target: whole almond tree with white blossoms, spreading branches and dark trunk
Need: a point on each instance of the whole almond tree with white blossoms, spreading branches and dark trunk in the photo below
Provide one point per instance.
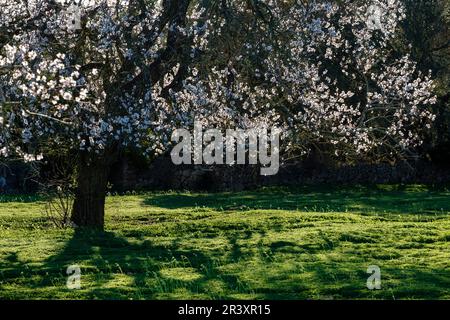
(134, 70)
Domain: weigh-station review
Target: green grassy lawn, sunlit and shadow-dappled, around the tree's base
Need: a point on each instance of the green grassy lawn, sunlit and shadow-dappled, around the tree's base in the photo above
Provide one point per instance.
(305, 243)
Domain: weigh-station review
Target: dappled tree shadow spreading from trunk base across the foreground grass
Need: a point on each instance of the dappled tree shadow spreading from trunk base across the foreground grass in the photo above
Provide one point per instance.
(155, 271)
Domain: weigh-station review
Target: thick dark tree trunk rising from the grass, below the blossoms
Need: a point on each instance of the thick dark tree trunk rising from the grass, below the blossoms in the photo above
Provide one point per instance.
(92, 179)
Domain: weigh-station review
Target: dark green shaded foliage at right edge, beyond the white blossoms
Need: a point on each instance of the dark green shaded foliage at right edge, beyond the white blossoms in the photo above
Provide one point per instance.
(427, 30)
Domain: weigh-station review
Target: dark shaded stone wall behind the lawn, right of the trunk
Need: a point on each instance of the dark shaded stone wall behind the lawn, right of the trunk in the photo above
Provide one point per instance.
(163, 175)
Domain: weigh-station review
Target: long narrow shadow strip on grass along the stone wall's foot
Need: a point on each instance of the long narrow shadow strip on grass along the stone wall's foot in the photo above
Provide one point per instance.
(395, 199)
